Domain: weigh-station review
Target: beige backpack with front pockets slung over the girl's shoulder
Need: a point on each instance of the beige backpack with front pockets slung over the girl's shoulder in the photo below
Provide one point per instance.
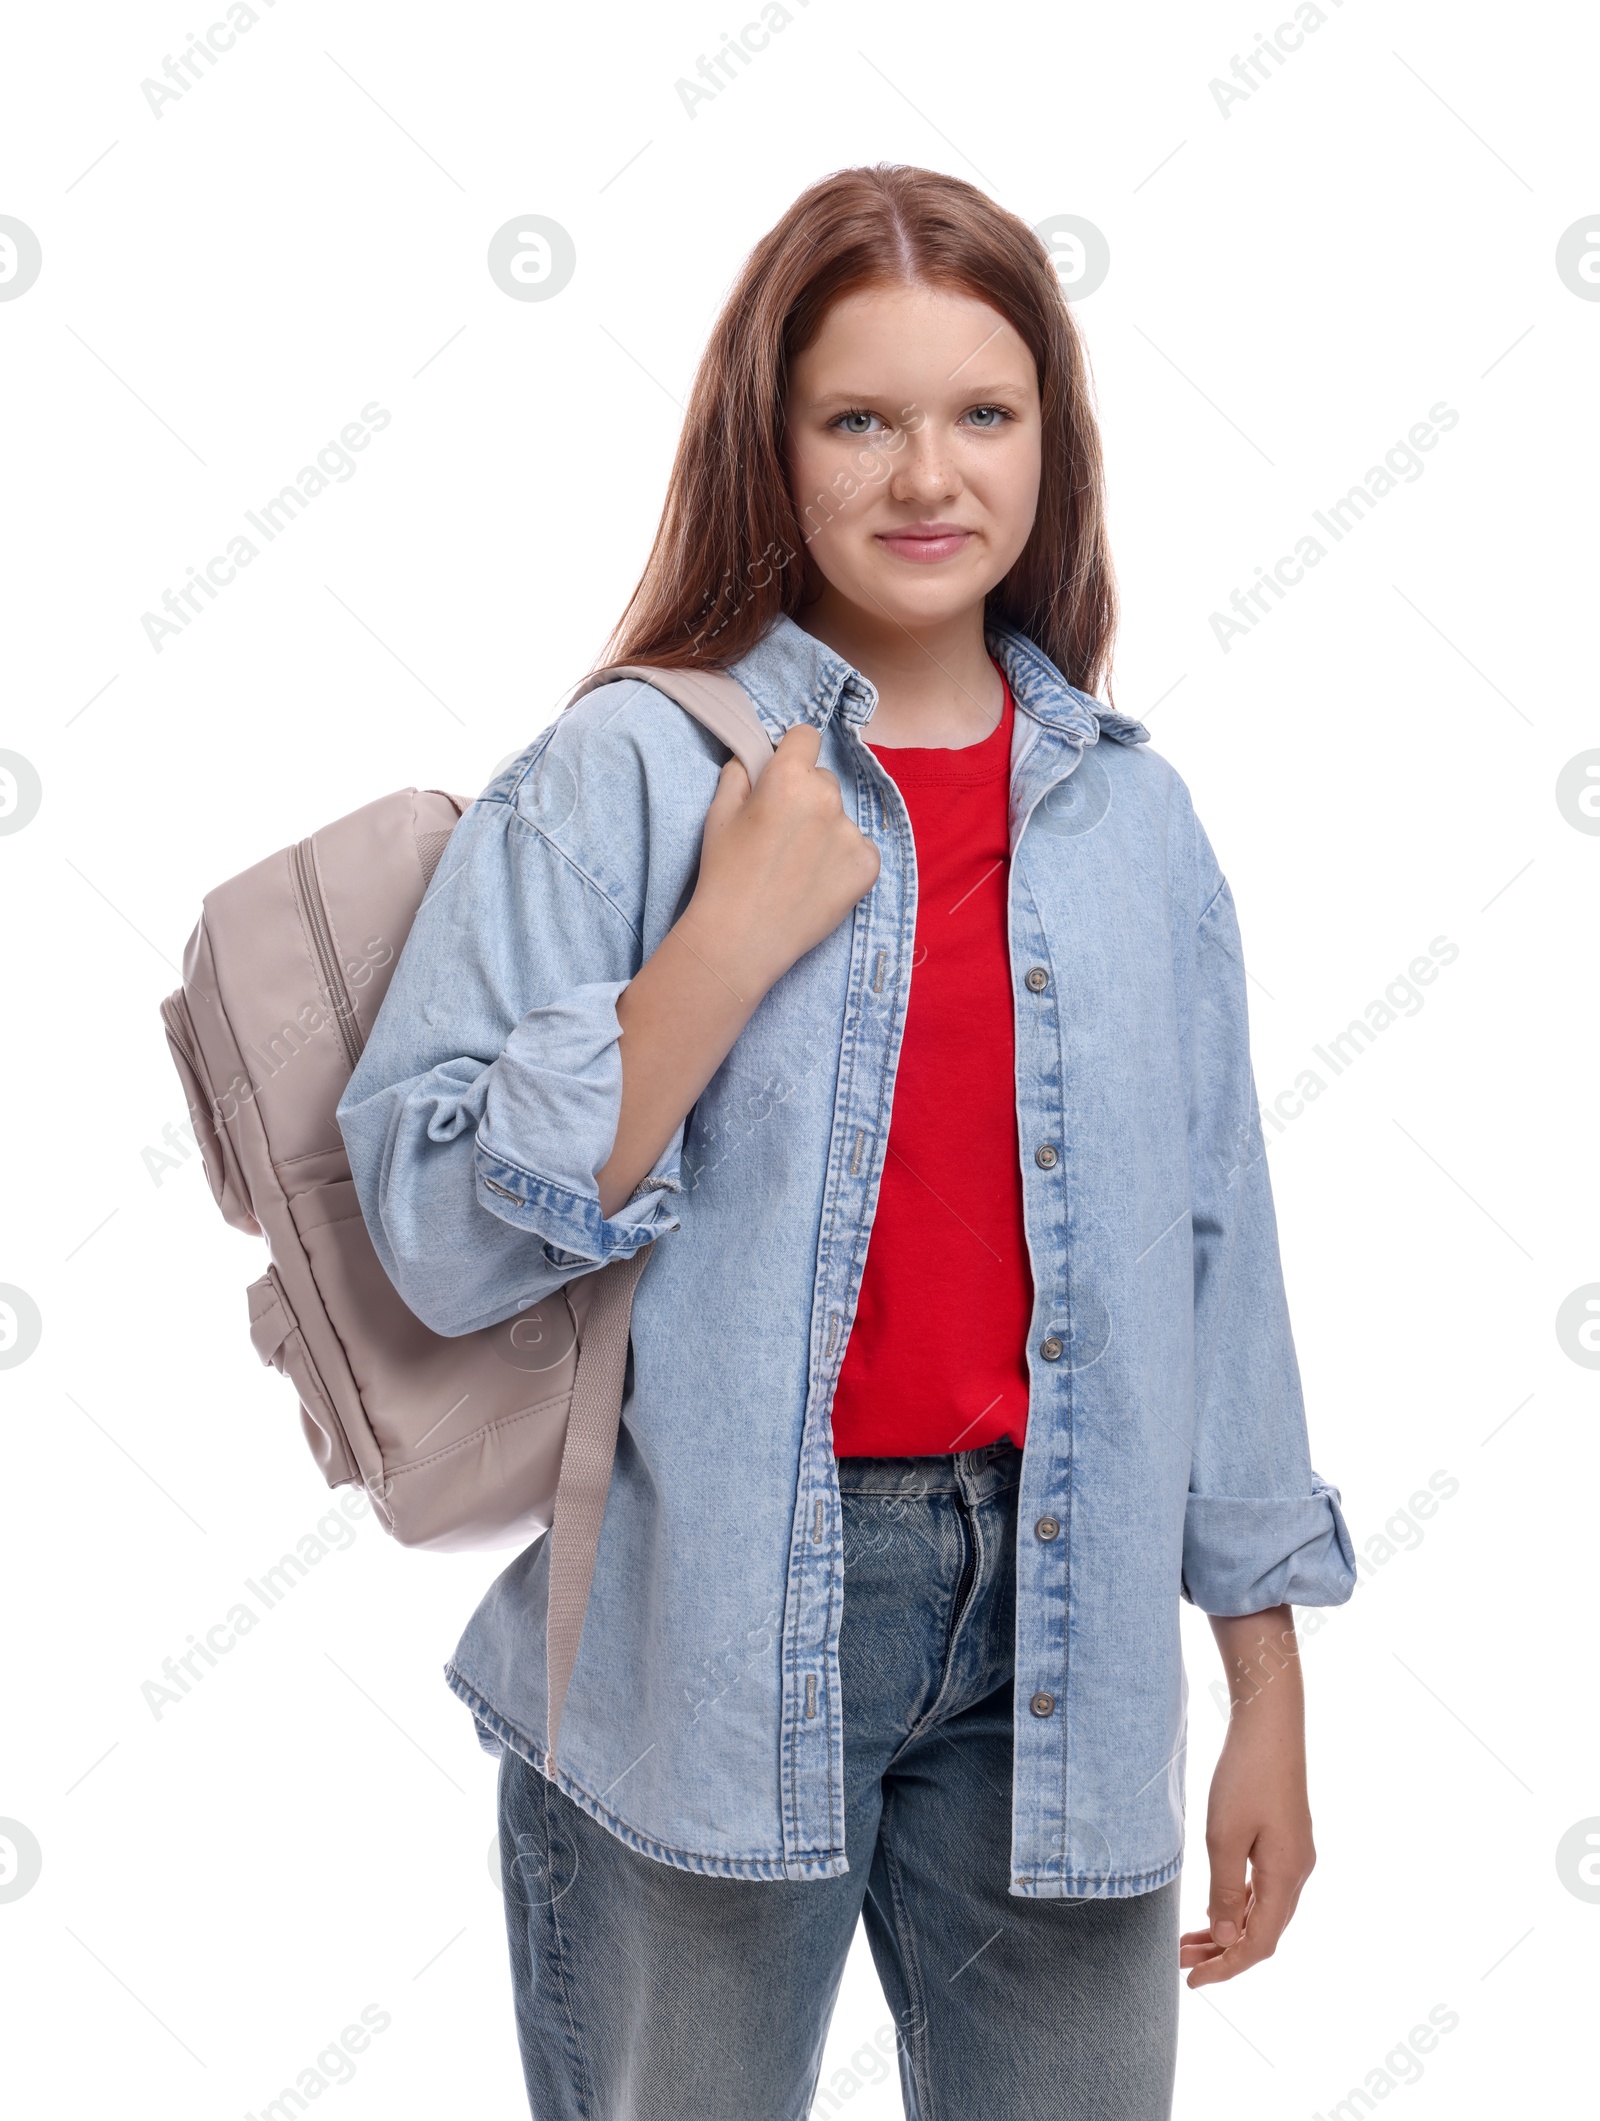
(472, 1441)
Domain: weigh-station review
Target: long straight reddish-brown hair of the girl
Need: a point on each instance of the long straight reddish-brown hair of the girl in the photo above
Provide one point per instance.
(729, 553)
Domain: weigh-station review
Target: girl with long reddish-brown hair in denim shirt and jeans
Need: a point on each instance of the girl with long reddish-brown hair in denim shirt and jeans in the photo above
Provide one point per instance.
(962, 1348)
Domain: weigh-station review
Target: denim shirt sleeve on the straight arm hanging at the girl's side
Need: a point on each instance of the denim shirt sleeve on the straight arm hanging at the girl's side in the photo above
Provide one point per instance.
(1262, 1526)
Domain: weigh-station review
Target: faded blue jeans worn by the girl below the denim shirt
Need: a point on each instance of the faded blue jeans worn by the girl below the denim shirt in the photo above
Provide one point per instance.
(646, 1993)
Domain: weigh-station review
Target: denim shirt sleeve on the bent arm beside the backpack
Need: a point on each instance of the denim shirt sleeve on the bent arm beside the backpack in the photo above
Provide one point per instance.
(491, 1085)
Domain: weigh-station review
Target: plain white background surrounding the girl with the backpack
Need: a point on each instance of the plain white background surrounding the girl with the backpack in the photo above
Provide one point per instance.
(1298, 283)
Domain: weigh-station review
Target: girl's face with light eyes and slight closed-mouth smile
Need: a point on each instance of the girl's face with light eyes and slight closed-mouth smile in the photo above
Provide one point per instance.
(914, 453)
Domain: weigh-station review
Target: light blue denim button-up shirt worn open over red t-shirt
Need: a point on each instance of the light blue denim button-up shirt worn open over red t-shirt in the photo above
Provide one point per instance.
(1166, 1426)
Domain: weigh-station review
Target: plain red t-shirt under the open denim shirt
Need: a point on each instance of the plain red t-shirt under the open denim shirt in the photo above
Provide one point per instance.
(939, 1352)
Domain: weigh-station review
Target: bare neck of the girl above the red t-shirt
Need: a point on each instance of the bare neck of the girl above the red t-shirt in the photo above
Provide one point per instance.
(937, 684)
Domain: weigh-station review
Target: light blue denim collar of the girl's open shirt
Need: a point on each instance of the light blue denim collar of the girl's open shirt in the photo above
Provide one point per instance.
(795, 678)
